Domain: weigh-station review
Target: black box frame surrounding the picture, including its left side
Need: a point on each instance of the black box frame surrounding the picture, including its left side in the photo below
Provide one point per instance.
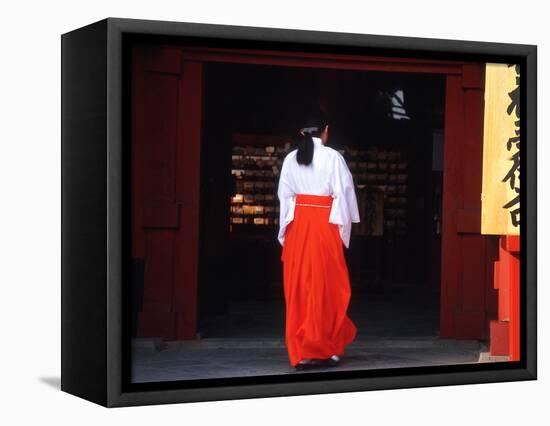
(95, 234)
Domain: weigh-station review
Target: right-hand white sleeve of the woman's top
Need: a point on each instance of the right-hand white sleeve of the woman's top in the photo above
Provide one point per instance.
(344, 206)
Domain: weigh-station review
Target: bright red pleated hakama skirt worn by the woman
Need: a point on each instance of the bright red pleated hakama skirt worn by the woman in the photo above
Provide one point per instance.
(316, 283)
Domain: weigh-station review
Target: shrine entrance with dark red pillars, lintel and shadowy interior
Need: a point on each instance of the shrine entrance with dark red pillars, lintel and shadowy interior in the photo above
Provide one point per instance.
(195, 239)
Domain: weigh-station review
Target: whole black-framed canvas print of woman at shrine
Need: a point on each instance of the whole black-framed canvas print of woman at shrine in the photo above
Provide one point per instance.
(253, 212)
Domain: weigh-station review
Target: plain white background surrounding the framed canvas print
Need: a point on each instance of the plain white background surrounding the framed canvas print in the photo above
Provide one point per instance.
(30, 210)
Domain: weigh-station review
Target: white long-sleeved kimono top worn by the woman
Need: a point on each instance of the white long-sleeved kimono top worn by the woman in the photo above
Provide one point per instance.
(328, 174)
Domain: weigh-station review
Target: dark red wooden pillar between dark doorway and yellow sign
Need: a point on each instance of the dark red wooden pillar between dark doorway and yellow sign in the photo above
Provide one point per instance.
(466, 288)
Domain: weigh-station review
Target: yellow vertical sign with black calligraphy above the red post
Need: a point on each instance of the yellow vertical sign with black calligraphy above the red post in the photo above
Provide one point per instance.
(501, 136)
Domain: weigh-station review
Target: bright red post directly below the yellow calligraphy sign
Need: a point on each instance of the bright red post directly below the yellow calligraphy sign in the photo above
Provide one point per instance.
(505, 330)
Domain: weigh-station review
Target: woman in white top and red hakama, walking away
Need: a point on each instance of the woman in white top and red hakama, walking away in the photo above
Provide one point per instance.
(317, 207)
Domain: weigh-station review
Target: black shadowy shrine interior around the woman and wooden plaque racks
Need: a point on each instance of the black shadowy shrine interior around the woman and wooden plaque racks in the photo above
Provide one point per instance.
(240, 272)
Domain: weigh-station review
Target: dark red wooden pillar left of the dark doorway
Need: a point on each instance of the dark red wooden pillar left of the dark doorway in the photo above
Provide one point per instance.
(166, 128)
